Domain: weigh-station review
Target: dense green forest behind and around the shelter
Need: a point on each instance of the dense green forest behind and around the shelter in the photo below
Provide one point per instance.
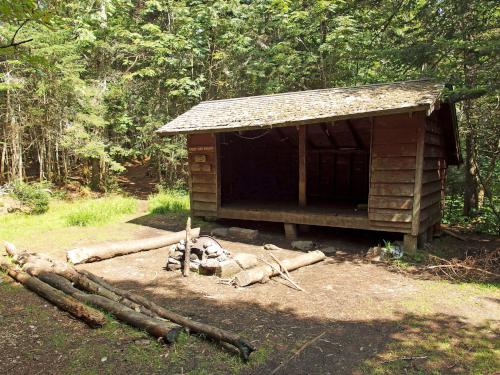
(84, 84)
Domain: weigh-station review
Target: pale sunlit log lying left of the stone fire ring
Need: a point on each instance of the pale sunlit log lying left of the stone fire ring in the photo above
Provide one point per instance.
(100, 252)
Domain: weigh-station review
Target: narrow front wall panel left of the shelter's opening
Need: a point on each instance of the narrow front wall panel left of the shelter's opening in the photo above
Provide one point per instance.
(203, 186)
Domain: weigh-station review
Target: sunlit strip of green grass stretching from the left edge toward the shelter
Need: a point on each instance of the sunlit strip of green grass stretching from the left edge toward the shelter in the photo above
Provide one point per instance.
(61, 214)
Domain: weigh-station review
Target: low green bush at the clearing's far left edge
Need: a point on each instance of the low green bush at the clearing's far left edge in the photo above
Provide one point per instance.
(35, 197)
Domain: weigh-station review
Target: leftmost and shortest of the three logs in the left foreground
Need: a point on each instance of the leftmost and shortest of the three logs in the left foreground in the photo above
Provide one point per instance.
(87, 314)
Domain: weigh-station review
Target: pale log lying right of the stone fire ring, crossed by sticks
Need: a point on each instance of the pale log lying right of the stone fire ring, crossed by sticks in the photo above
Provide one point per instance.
(257, 274)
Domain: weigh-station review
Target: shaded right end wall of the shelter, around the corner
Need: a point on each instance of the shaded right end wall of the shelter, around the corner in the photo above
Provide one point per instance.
(434, 174)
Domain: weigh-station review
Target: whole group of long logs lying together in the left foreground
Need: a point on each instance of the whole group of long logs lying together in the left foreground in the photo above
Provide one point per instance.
(71, 290)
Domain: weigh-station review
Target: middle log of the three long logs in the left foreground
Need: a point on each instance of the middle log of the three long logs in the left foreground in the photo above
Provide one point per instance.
(154, 327)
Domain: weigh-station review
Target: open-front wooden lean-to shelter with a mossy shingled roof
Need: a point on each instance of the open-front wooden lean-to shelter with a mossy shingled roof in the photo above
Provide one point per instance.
(369, 157)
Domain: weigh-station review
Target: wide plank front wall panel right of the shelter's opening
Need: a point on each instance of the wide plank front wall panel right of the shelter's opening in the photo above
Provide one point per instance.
(393, 171)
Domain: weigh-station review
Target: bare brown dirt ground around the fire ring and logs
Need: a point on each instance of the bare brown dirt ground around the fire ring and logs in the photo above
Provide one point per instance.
(365, 317)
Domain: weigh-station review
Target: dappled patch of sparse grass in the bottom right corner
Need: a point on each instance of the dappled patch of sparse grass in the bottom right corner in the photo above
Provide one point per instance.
(429, 345)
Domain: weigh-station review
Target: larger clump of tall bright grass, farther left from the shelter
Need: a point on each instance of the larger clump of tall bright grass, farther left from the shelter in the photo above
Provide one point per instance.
(100, 211)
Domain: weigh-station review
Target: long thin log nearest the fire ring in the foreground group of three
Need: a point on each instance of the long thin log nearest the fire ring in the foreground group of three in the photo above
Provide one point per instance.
(244, 347)
